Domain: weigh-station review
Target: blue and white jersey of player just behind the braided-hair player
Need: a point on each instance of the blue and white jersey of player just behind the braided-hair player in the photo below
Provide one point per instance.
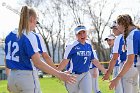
(118, 48)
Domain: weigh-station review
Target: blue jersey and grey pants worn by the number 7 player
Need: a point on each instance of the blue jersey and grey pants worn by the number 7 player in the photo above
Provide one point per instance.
(80, 57)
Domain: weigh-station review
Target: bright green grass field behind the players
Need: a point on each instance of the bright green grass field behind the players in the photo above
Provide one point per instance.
(53, 85)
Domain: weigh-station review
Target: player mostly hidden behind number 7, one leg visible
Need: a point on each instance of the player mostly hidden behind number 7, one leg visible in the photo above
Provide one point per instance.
(94, 75)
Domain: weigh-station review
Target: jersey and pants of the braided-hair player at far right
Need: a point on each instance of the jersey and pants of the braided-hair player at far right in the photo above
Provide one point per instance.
(133, 47)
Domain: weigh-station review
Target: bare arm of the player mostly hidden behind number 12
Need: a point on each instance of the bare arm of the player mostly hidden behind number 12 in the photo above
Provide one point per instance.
(48, 60)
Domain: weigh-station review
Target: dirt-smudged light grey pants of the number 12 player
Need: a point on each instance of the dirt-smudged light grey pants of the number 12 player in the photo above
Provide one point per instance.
(23, 81)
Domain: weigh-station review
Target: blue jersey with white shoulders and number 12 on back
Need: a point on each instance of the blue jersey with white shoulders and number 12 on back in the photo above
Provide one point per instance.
(19, 51)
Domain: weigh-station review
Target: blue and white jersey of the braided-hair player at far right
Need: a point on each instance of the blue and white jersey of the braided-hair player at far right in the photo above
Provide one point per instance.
(133, 43)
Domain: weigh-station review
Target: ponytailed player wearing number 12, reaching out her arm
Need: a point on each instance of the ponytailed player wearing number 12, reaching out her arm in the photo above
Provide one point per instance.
(20, 48)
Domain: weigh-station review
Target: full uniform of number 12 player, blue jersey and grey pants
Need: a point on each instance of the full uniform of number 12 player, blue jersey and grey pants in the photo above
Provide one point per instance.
(18, 53)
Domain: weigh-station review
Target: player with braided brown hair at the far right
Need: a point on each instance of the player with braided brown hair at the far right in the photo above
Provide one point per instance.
(131, 36)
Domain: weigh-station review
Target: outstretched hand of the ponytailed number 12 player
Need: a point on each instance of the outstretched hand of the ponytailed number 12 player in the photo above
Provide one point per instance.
(68, 78)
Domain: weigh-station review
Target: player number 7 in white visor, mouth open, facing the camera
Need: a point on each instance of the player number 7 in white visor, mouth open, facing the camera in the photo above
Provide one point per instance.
(77, 57)
